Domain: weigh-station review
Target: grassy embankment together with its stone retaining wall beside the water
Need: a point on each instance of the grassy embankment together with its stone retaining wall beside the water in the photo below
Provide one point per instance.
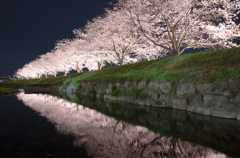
(207, 83)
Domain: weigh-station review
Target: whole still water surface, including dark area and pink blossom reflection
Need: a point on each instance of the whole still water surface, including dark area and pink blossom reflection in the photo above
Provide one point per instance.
(40, 125)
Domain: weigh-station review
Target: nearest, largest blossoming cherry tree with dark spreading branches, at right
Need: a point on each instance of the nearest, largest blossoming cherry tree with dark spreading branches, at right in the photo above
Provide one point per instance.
(178, 25)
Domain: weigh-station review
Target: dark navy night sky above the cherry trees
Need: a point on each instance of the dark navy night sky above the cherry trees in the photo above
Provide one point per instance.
(29, 28)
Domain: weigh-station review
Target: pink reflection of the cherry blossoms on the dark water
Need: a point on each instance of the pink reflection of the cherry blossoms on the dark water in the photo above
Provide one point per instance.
(103, 136)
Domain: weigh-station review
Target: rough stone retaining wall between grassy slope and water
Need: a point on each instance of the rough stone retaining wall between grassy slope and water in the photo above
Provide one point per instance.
(212, 99)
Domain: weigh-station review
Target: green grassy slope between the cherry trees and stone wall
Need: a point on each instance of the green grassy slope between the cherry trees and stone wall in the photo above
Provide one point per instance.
(211, 66)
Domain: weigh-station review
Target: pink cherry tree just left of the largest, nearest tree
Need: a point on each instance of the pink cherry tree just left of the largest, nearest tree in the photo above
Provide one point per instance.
(115, 34)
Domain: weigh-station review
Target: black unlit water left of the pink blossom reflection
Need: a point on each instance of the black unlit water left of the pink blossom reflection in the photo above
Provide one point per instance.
(23, 133)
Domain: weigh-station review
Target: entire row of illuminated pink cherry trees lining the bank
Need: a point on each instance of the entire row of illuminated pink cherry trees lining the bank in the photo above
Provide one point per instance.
(147, 28)
